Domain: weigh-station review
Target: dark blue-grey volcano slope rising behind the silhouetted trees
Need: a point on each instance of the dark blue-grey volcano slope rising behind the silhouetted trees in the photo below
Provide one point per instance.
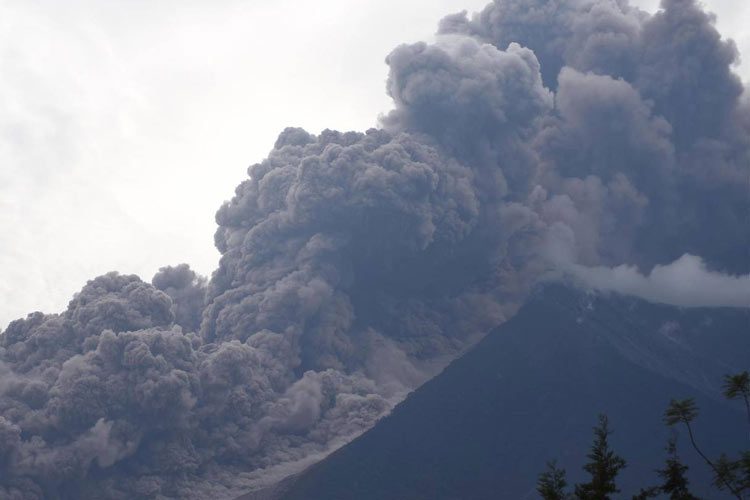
(530, 392)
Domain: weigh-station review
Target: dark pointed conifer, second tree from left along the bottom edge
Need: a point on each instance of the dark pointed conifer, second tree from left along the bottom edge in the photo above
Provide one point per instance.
(604, 465)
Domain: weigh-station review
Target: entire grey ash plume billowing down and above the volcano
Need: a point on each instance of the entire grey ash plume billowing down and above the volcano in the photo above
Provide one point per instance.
(534, 135)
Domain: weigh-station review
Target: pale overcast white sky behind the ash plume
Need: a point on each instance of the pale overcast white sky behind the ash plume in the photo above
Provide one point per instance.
(125, 124)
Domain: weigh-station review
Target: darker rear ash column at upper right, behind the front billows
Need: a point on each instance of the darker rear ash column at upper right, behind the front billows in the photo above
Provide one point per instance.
(647, 154)
